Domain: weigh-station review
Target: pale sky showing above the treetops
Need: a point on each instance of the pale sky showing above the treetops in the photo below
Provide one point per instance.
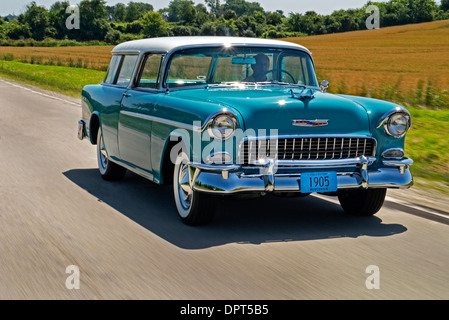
(300, 6)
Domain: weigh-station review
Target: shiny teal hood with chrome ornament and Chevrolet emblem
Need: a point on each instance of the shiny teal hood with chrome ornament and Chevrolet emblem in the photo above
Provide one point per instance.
(265, 108)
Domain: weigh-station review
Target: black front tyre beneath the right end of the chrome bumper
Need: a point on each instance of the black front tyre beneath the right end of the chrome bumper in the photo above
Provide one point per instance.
(362, 202)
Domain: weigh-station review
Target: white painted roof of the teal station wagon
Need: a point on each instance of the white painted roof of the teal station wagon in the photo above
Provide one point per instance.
(167, 44)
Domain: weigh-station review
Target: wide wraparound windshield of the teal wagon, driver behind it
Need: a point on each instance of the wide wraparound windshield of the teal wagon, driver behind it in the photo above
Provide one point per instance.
(224, 65)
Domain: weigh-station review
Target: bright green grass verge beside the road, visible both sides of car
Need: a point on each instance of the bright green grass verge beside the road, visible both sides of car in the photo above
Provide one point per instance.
(427, 142)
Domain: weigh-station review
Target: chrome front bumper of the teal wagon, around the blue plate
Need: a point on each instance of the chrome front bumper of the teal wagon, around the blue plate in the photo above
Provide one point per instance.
(232, 179)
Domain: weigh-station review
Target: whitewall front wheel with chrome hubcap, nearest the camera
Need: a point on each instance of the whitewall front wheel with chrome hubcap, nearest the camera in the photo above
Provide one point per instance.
(194, 208)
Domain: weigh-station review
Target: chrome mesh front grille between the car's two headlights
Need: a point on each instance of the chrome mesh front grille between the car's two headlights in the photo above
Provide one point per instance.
(306, 148)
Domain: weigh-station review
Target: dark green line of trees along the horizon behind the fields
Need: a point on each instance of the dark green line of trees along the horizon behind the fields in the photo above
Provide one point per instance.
(135, 20)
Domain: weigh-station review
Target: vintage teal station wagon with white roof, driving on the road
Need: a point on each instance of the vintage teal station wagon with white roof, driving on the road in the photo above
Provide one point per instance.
(218, 116)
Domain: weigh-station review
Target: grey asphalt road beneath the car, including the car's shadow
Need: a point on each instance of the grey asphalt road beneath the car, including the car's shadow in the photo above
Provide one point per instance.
(126, 240)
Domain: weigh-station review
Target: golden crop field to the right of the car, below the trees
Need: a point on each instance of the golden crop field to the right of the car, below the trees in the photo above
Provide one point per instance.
(408, 63)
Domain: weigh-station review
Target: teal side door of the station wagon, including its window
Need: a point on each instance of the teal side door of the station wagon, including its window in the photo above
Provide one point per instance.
(135, 118)
